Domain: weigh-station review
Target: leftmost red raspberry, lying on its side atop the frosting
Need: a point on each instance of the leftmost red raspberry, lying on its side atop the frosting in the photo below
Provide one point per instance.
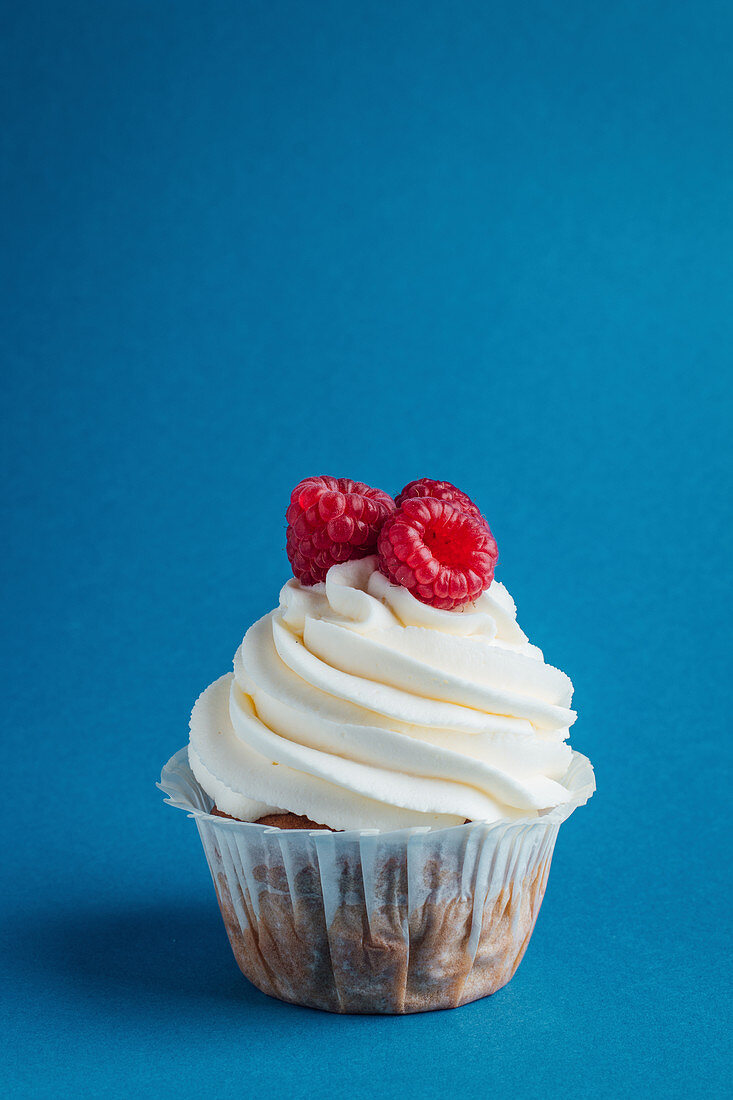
(333, 520)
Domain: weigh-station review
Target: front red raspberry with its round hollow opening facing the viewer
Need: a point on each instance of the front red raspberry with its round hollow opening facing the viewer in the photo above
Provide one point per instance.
(443, 555)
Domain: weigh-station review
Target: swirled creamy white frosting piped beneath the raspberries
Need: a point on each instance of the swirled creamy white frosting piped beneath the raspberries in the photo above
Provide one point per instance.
(362, 708)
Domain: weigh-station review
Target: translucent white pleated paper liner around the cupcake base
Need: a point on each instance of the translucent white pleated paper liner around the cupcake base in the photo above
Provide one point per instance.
(370, 922)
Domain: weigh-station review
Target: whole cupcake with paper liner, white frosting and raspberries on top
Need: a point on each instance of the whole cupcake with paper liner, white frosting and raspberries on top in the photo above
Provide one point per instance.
(380, 782)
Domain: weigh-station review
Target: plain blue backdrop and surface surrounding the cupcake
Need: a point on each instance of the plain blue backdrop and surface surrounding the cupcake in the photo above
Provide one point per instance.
(246, 243)
